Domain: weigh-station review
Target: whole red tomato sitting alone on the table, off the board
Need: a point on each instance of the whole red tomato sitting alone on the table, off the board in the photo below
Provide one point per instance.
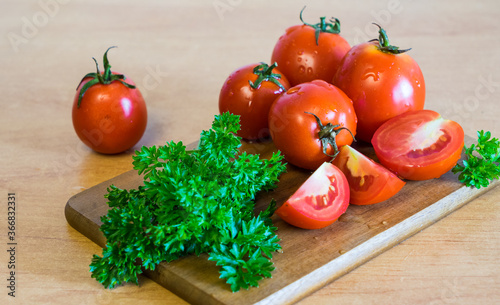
(109, 113)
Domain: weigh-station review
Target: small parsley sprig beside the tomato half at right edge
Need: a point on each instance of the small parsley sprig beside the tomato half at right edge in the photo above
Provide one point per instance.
(481, 163)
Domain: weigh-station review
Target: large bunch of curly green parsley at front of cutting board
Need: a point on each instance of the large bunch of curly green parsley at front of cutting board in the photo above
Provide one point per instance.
(193, 202)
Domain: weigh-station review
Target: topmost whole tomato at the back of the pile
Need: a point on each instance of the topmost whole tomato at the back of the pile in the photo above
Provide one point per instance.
(307, 52)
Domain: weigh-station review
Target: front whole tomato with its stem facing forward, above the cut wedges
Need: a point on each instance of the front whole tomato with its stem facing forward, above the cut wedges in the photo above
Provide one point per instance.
(296, 132)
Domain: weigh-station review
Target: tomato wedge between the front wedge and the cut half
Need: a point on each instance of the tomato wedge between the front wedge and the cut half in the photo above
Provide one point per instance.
(369, 182)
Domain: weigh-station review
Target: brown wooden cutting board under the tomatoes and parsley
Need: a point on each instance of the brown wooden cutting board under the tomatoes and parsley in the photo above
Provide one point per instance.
(310, 258)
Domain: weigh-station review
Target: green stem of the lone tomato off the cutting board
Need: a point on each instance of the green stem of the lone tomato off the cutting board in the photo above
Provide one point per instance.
(101, 78)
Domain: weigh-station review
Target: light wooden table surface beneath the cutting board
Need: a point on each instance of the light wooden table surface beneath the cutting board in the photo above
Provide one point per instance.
(179, 54)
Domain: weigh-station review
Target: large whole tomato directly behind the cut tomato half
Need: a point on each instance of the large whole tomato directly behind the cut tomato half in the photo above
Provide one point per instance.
(382, 82)
